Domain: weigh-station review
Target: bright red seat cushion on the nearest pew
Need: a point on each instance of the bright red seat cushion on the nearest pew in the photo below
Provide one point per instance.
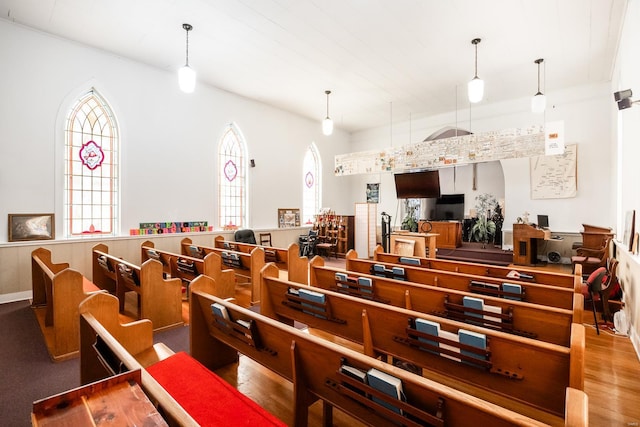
(209, 399)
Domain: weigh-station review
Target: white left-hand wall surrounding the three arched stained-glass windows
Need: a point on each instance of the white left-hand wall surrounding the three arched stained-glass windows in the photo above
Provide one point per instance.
(169, 139)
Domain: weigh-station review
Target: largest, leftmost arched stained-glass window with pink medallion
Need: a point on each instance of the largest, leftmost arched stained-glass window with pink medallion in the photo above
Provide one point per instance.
(91, 168)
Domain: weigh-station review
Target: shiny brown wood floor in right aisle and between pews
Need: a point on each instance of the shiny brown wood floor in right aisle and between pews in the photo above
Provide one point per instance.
(612, 372)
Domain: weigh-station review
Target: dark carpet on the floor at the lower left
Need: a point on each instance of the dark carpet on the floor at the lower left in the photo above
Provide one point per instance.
(28, 374)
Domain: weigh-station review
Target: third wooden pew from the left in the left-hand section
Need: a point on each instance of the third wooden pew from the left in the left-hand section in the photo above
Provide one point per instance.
(187, 268)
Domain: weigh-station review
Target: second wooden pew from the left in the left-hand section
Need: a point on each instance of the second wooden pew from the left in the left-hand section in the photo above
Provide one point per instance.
(159, 299)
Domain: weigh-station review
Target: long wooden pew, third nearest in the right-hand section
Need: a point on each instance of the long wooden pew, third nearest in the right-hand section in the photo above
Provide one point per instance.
(548, 324)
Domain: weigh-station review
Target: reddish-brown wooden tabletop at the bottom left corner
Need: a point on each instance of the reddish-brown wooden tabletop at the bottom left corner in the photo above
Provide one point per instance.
(117, 400)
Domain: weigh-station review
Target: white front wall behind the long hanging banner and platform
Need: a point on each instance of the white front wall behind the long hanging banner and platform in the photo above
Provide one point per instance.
(586, 112)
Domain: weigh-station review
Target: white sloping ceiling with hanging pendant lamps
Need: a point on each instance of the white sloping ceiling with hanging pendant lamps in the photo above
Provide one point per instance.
(405, 58)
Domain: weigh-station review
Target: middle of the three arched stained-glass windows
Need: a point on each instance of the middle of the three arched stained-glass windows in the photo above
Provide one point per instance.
(232, 164)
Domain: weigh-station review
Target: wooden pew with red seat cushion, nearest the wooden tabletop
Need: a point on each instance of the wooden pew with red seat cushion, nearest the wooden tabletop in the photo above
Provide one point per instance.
(108, 348)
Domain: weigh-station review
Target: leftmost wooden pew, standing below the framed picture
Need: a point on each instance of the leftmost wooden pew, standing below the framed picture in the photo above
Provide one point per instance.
(57, 291)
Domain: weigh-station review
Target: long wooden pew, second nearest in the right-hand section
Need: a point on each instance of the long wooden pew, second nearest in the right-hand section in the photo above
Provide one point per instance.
(518, 373)
